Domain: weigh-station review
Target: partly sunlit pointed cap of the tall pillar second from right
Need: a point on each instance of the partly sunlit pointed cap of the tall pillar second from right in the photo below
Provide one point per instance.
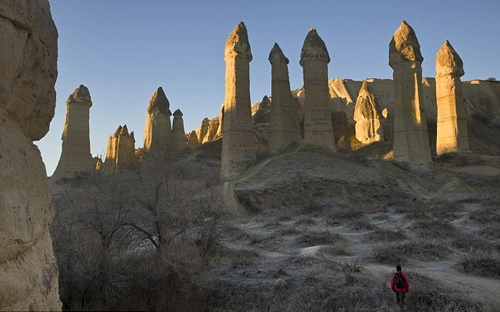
(404, 46)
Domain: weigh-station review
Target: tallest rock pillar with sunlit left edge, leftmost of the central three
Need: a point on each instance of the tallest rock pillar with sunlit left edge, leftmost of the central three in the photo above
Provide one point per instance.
(238, 143)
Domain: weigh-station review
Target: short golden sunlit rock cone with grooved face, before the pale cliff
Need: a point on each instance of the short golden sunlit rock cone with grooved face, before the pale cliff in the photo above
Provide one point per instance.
(367, 117)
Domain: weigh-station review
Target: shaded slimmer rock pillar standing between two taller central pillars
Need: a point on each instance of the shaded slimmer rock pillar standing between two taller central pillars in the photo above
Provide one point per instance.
(283, 120)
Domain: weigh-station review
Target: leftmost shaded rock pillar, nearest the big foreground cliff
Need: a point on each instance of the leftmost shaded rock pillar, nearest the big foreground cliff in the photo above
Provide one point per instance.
(75, 154)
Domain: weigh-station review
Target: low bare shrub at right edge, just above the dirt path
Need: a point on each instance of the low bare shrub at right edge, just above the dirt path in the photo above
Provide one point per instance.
(481, 264)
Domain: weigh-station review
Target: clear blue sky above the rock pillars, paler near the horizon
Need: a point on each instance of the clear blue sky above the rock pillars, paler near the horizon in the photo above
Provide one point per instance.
(123, 50)
